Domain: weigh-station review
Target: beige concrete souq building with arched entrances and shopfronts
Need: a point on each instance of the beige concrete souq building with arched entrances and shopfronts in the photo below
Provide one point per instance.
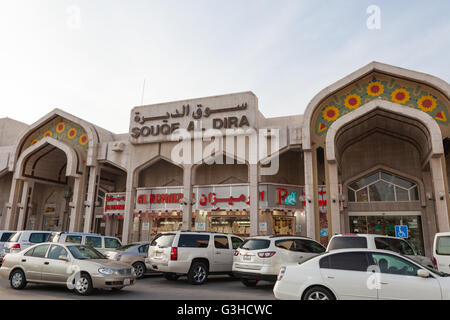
(370, 152)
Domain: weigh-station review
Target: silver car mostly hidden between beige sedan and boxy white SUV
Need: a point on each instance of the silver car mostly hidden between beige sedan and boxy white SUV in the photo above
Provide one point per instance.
(133, 254)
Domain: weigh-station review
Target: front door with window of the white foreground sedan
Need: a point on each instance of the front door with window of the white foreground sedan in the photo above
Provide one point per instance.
(399, 280)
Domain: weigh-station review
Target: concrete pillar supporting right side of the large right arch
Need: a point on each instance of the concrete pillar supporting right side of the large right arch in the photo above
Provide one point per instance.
(437, 176)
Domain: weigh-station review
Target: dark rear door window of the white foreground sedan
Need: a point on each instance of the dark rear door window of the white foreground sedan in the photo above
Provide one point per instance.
(350, 261)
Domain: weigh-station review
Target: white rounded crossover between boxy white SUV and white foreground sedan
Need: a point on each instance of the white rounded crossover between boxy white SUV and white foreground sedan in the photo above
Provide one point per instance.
(260, 258)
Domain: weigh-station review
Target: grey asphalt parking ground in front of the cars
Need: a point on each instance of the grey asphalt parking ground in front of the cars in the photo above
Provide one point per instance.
(152, 287)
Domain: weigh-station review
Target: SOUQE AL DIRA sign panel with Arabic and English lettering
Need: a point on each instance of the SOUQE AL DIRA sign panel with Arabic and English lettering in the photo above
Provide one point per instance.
(156, 122)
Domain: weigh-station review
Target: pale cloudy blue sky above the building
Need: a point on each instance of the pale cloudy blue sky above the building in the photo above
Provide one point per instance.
(91, 57)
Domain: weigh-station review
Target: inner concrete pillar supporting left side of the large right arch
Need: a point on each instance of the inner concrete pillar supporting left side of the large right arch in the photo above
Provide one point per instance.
(333, 197)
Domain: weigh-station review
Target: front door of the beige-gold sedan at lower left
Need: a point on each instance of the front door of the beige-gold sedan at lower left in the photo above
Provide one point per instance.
(55, 269)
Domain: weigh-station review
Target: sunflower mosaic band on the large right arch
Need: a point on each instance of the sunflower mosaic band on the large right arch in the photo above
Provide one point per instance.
(379, 87)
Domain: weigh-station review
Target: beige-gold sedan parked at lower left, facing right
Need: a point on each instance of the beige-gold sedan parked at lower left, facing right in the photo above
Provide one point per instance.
(57, 263)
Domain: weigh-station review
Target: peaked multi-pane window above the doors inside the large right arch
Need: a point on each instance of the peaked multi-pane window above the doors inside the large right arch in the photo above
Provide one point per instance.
(382, 186)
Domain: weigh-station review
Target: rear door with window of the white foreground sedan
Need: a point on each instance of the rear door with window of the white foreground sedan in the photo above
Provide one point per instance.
(347, 275)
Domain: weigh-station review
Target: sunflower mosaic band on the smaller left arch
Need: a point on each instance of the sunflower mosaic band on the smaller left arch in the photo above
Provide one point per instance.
(63, 130)
